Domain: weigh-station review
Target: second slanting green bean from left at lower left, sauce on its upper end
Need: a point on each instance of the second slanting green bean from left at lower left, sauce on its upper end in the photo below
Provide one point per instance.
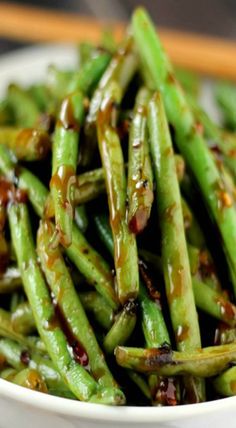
(68, 302)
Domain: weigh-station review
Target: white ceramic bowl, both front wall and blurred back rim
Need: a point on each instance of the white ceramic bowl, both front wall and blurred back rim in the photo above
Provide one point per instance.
(22, 408)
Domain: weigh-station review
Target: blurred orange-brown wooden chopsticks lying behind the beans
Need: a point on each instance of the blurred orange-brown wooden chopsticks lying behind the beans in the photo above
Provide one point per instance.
(211, 56)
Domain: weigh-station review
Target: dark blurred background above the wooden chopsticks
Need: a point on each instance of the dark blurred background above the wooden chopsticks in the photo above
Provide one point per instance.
(214, 17)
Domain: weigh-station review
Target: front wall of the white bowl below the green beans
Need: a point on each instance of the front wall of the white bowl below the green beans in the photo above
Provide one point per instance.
(23, 408)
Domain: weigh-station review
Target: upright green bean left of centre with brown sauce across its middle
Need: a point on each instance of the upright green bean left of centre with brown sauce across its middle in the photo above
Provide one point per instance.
(65, 153)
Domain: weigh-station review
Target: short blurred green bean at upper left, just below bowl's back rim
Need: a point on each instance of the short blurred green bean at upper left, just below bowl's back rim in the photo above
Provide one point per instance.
(24, 108)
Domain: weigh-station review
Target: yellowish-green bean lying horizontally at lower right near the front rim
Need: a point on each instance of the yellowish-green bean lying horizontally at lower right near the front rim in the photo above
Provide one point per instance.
(205, 362)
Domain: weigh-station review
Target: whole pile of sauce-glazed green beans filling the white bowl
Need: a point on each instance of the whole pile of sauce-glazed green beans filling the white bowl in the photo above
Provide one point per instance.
(118, 230)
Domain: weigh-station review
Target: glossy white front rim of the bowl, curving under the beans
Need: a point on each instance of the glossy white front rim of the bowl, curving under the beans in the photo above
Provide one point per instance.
(101, 412)
